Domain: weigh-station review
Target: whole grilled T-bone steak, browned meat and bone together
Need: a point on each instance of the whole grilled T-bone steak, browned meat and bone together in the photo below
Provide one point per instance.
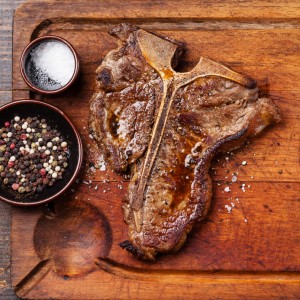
(167, 126)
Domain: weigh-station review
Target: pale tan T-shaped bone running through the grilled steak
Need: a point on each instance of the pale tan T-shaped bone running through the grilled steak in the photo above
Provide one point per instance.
(159, 53)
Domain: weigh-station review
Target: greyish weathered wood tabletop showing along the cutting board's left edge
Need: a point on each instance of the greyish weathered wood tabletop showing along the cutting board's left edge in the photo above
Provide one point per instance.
(6, 20)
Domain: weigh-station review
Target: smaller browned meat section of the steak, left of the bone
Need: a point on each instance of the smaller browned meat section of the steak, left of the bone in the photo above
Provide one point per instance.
(128, 94)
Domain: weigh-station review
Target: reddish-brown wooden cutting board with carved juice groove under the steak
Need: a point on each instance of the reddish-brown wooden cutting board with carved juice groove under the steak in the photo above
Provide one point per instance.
(251, 251)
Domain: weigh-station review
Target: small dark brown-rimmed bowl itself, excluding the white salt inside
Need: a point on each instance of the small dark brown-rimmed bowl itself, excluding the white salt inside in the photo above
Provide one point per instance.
(25, 60)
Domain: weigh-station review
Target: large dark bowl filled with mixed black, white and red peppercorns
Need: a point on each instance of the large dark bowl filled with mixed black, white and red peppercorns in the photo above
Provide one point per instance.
(40, 152)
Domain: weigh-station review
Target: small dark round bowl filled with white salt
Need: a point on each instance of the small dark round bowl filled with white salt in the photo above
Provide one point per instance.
(49, 65)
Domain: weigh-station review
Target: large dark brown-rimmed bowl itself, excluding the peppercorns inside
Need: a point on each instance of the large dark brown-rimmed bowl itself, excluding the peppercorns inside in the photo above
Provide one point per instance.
(57, 120)
